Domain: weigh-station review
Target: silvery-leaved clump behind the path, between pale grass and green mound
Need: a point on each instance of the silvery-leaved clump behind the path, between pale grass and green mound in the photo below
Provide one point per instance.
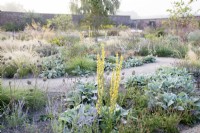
(53, 67)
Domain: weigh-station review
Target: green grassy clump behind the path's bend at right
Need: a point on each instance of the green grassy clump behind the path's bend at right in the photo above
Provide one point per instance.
(167, 46)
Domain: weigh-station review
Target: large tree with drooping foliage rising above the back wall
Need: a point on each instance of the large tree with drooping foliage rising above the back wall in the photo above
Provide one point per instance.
(94, 11)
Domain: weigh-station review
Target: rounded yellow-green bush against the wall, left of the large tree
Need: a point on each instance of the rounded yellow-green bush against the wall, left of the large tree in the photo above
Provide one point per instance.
(61, 22)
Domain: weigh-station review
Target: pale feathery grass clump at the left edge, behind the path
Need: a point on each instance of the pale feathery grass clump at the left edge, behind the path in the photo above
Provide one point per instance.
(15, 54)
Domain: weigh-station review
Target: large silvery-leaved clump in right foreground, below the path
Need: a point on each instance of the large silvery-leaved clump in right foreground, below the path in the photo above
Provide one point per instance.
(169, 88)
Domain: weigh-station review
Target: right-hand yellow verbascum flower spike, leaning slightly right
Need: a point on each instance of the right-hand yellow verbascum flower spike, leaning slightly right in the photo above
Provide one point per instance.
(115, 81)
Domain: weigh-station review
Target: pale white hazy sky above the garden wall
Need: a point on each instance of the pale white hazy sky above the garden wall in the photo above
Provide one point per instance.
(141, 8)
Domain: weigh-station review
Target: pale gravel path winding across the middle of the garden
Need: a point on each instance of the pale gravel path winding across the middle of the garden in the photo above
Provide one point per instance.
(63, 84)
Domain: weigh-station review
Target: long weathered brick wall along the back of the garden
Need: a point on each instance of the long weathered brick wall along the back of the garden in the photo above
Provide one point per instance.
(18, 17)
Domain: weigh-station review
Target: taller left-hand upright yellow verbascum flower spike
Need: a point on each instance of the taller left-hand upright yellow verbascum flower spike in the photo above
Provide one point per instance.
(100, 79)
